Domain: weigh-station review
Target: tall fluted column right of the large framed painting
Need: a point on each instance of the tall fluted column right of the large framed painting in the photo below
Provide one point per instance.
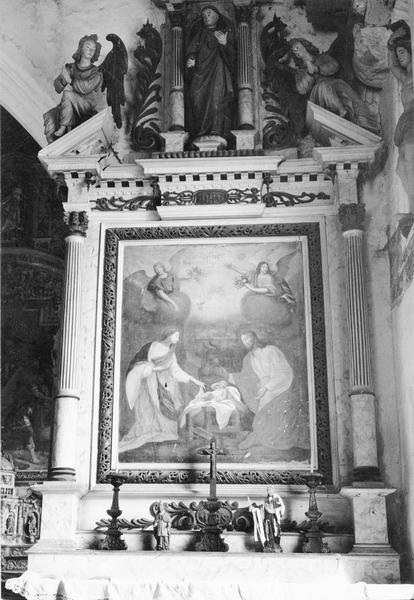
(351, 217)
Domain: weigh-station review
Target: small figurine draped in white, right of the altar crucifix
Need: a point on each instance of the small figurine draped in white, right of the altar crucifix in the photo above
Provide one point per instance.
(267, 518)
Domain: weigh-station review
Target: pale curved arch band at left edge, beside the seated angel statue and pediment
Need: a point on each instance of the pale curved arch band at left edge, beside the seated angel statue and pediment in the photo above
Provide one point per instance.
(22, 96)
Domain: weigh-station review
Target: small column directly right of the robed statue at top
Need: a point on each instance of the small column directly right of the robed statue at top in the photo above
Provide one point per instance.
(244, 62)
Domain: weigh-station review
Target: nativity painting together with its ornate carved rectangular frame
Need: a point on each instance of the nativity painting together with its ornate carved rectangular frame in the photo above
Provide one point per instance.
(213, 331)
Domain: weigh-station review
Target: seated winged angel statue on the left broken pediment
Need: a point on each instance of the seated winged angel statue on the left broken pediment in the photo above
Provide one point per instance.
(82, 84)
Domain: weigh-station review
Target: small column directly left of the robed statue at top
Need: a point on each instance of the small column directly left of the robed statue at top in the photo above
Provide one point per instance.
(176, 72)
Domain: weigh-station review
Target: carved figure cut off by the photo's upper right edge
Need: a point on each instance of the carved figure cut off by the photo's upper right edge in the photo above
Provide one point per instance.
(401, 66)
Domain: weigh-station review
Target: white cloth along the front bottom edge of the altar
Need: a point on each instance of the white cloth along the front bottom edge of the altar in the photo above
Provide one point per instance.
(35, 587)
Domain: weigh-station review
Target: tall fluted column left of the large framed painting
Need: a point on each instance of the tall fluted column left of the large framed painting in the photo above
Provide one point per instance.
(63, 459)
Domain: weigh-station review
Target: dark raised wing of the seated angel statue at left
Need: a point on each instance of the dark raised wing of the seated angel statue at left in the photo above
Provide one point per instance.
(114, 68)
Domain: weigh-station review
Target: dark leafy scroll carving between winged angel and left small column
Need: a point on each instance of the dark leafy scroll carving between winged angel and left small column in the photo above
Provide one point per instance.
(145, 134)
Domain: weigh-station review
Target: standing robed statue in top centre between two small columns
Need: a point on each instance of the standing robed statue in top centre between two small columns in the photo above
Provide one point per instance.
(210, 68)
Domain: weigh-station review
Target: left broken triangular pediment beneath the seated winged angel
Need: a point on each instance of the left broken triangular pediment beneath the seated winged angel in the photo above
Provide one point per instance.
(90, 141)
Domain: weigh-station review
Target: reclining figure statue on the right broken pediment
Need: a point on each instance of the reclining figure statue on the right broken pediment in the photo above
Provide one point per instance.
(316, 77)
